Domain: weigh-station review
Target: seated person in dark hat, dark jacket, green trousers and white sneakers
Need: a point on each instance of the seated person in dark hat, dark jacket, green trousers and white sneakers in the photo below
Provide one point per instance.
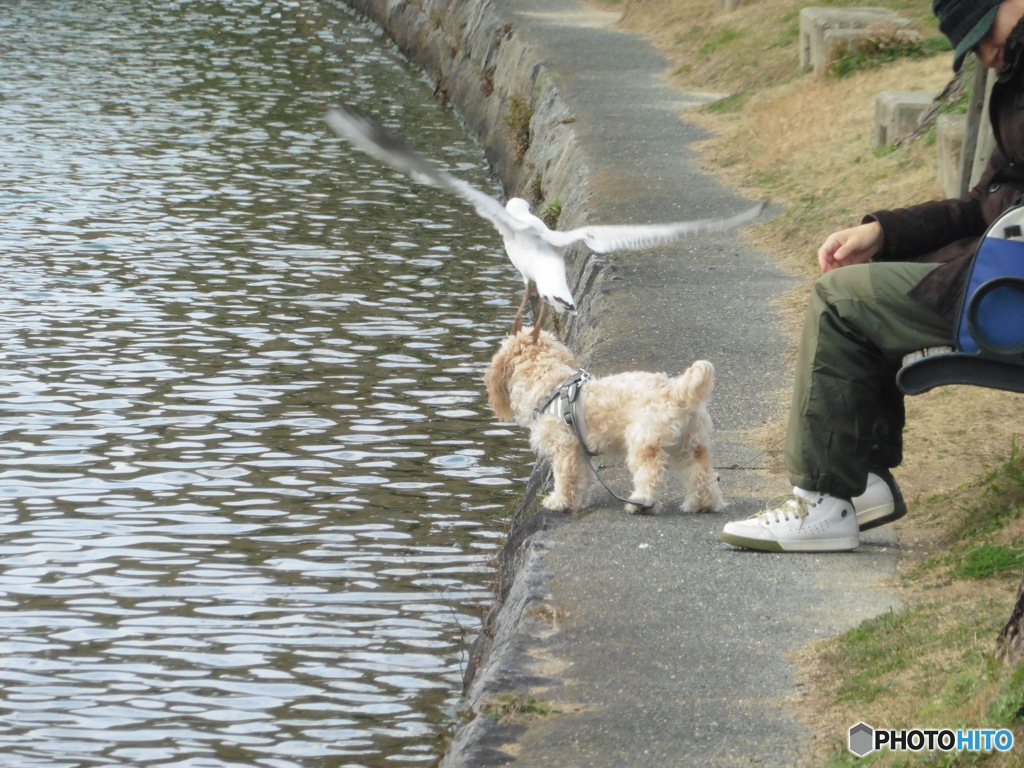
(891, 286)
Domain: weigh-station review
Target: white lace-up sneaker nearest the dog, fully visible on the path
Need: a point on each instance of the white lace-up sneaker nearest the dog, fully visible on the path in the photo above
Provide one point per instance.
(806, 522)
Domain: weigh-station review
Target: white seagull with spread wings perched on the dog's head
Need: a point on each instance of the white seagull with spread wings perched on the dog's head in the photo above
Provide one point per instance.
(534, 249)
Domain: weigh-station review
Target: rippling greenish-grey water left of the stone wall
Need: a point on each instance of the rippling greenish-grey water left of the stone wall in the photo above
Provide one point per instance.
(249, 486)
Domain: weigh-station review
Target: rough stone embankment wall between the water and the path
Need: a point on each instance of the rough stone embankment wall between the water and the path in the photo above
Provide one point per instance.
(499, 87)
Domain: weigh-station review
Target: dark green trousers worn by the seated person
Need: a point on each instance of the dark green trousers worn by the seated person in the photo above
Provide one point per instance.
(847, 415)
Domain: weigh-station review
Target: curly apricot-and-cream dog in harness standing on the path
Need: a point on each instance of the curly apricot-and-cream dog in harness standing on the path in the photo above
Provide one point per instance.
(657, 423)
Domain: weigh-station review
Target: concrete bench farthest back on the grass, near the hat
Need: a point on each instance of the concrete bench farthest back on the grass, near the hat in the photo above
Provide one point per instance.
(827, 34)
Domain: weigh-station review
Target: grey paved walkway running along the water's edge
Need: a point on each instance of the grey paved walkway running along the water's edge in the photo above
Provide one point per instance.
(659, 645)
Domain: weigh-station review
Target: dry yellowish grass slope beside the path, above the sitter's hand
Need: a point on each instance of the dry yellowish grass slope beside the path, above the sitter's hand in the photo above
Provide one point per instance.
(795, 139)
